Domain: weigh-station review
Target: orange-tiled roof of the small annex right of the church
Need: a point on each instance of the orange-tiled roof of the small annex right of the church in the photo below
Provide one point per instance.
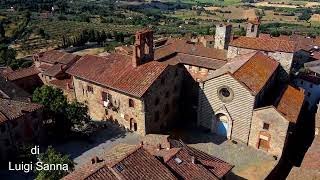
(291, 103)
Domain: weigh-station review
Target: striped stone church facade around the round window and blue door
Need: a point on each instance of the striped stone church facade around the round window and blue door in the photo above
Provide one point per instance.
(238, 109)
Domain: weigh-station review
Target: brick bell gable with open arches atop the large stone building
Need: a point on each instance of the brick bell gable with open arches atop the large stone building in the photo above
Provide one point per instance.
(143, 48)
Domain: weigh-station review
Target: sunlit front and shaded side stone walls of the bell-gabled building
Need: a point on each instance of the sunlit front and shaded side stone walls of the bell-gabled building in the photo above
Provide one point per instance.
(166, 89)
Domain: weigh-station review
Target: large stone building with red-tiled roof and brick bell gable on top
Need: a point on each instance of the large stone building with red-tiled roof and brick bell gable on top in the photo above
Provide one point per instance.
(140, 94)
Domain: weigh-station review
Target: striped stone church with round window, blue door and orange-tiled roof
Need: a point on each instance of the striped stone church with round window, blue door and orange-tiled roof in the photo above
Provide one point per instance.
(227, 98)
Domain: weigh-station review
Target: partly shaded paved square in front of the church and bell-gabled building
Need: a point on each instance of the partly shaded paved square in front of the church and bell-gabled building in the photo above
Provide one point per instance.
(249, 163)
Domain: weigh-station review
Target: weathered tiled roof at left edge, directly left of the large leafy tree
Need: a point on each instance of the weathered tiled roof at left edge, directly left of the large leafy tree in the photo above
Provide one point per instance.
(12, 109)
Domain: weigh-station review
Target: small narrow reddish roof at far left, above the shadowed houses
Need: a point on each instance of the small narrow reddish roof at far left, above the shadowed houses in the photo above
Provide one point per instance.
(21, 73)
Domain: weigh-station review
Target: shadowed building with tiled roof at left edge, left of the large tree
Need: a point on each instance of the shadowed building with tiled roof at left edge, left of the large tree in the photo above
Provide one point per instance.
(20, 122)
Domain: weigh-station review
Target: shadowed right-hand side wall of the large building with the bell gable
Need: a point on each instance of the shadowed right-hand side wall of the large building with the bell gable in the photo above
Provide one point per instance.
(163, 99)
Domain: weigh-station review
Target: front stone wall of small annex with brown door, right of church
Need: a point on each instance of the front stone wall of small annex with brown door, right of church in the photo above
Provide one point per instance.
(277, 131)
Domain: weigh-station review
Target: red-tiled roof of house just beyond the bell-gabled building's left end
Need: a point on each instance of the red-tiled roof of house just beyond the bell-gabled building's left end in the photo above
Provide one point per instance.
(55, 56)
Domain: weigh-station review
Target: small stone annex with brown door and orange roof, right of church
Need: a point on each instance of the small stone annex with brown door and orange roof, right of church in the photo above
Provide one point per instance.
(272, 125)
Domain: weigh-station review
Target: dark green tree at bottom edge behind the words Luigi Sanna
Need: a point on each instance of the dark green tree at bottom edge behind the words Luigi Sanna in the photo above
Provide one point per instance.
(53, 157)
